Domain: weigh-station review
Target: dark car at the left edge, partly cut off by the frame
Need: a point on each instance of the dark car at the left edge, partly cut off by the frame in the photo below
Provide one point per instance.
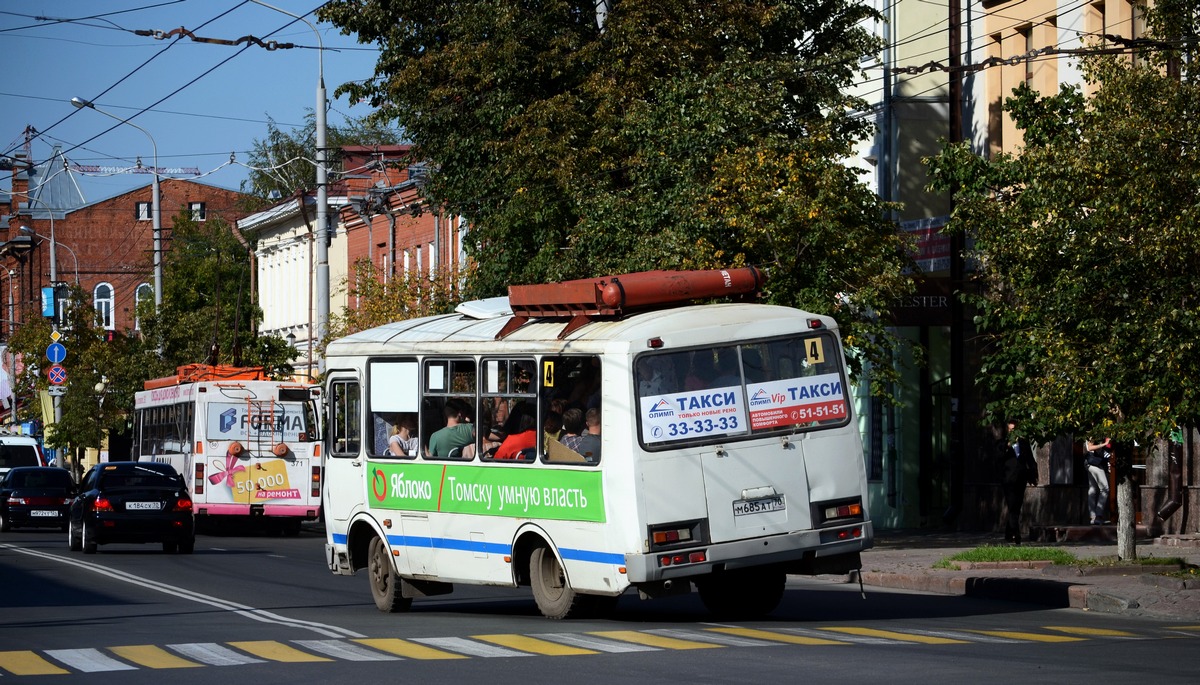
(35, 497)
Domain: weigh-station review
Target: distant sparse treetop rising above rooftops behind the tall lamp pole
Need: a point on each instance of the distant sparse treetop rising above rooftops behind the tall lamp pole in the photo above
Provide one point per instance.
(286, 161)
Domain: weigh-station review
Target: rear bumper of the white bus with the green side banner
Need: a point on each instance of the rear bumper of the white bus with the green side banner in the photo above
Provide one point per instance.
(809, 552)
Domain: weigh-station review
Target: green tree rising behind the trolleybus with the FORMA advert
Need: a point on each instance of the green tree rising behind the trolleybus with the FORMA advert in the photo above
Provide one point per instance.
(208, 315)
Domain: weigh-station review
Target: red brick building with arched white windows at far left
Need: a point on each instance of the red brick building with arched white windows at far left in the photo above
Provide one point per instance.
(106, 248)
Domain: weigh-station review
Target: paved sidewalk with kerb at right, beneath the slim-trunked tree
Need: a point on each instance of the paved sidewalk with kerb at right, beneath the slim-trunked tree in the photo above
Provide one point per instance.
(904, 560)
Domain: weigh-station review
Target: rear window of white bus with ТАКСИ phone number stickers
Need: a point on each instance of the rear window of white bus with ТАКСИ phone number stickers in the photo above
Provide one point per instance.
(723, 393)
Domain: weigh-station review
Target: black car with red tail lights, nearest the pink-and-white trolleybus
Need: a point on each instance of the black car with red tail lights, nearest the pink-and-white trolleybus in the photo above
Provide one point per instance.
(133, 502)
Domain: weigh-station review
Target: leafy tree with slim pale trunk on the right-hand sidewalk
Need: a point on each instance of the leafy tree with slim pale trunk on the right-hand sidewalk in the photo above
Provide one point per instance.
(1087, 243)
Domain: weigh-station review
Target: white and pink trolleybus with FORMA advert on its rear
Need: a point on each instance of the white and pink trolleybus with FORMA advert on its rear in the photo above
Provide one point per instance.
(245, 446)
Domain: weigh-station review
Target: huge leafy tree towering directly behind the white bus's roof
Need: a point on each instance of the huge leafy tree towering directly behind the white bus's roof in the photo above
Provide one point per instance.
(677, 136)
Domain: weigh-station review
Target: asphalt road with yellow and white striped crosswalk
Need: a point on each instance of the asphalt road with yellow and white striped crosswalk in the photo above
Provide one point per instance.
(250, 609)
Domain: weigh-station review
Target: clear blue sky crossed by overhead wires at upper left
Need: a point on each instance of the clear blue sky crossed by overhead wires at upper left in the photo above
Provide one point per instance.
(200, 103)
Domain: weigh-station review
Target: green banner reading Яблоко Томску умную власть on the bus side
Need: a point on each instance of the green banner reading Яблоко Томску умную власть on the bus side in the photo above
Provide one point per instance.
(488, 491)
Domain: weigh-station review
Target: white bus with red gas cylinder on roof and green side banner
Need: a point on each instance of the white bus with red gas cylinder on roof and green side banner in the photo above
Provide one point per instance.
(728, 455)
